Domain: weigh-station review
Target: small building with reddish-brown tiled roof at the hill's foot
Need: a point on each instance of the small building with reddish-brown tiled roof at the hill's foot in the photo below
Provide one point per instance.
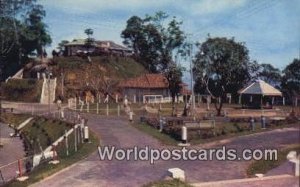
(146, 88)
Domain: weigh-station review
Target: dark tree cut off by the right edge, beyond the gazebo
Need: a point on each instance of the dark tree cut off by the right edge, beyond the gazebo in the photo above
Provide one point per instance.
(291, 79)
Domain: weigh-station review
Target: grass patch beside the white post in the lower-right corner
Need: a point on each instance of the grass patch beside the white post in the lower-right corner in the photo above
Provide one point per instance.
(263, 166)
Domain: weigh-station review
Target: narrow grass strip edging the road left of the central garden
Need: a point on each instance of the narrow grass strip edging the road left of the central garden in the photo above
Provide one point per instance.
(163, 138)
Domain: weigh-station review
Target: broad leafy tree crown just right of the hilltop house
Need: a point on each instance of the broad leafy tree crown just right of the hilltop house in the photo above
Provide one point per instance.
(153, 42)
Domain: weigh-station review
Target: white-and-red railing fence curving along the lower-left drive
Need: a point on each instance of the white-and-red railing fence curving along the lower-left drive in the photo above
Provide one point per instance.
(69, 143)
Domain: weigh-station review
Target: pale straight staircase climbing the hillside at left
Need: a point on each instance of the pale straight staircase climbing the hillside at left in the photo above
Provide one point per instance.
(48, 86)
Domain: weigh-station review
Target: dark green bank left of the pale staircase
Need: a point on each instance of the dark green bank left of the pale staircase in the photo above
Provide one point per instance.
(25, 90)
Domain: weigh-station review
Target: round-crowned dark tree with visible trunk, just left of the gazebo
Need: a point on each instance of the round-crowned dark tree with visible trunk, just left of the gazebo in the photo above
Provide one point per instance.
(222, 66)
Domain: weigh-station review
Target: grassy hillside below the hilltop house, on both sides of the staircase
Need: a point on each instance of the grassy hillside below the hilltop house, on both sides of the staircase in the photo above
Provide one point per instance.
(79, 74)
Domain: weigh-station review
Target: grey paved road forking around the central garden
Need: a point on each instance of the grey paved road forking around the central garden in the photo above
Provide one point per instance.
(115, 131)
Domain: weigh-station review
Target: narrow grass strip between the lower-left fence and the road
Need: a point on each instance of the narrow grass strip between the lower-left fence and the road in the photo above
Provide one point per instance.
(46, 170)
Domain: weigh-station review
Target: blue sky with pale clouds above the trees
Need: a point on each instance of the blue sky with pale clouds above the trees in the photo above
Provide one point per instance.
(269, 28)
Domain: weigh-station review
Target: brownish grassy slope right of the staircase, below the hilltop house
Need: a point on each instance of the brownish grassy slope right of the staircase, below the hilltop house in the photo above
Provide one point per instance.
(102, 72)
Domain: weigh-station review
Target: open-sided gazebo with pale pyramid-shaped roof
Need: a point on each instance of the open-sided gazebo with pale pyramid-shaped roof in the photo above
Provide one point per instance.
(257, 92)
